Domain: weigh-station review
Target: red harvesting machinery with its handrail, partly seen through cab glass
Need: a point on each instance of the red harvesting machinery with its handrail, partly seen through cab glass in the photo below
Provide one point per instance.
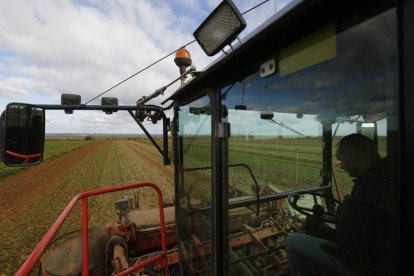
(147, 245)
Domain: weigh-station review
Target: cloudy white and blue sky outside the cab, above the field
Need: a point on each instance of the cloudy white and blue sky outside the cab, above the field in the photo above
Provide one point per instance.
(50, 47)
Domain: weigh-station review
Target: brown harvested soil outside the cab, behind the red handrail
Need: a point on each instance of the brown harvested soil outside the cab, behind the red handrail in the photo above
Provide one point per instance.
(32, 199)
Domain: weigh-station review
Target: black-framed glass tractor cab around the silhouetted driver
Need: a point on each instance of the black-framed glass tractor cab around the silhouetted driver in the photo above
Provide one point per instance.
(257, 130)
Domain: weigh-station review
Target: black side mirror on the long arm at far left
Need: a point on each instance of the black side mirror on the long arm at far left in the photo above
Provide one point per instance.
(22, 134)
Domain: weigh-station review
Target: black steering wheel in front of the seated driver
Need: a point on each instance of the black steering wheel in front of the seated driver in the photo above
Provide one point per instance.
(317, 211)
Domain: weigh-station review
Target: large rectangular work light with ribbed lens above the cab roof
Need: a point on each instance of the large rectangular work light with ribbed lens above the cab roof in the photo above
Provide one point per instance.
(220, 28)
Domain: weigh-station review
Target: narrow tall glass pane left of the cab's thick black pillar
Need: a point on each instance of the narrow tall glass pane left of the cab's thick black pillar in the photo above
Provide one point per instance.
(194, 191)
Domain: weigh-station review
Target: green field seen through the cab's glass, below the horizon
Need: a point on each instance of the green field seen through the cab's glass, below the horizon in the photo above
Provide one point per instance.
(287, 163)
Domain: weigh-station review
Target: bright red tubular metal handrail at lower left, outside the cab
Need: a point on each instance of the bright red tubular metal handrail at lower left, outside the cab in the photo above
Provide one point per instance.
(34, 257)
